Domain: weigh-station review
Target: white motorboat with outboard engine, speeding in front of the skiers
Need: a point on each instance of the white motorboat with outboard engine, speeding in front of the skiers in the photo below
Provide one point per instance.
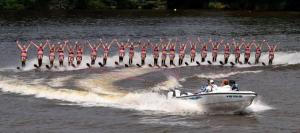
(232, 100)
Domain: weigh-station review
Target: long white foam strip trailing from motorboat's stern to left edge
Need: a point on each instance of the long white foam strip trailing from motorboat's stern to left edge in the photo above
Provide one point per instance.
(142, 101)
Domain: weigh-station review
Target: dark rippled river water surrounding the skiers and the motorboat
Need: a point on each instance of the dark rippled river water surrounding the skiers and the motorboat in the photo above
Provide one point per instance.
(118, 99)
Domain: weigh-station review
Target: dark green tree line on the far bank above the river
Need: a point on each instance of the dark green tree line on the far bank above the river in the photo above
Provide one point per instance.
(149, 4)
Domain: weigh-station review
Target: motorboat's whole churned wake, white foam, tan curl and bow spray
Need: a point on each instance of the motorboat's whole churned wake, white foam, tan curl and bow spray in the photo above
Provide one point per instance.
(99, 90)
